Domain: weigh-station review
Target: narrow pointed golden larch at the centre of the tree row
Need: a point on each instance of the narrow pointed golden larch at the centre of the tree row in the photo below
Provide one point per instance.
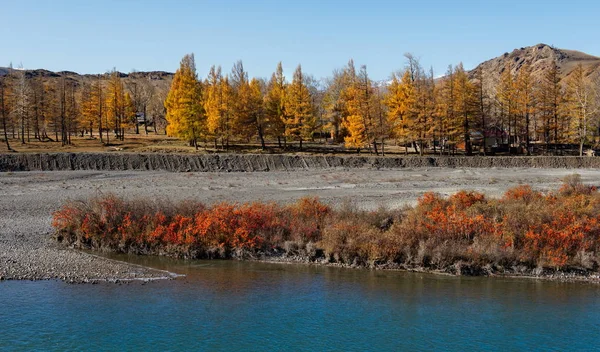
(299, 119)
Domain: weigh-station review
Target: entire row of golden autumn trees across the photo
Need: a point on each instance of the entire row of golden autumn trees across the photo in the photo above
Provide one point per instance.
(411, 109)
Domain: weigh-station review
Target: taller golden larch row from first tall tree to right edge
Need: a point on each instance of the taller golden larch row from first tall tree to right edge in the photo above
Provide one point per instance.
(412, 108)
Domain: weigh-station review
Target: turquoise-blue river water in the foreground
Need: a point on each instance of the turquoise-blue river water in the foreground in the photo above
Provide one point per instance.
(242, 306)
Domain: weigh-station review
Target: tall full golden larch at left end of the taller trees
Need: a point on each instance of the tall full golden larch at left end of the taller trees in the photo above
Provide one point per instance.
(185, 114)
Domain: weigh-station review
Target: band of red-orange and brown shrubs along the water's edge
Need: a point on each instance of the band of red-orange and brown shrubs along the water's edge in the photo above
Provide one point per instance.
(523, 232)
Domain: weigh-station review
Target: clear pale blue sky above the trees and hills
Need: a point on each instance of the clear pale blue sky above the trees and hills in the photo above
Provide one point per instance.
(88, 36)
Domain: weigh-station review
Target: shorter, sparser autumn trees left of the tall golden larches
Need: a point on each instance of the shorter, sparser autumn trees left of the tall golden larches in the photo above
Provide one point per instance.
(53, 109)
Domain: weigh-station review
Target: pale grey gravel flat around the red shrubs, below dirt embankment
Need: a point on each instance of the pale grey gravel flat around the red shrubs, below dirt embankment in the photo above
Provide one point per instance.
(27, 200)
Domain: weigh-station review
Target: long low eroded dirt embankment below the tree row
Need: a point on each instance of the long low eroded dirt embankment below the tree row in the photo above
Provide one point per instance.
(253, 162)
